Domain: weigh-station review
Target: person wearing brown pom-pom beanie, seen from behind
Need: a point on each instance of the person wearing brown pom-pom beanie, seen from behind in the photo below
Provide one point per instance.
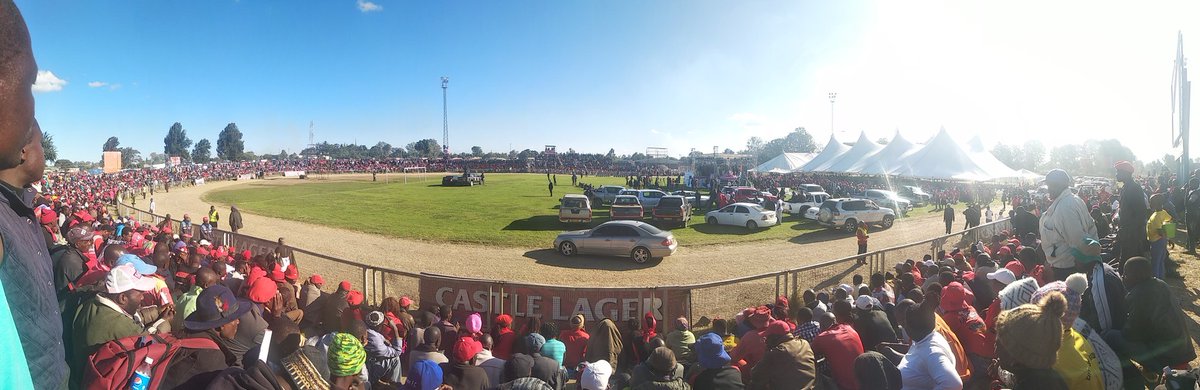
(1028, 341)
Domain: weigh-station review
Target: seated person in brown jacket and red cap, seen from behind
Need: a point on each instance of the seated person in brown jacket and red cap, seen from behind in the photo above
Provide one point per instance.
(788, 364)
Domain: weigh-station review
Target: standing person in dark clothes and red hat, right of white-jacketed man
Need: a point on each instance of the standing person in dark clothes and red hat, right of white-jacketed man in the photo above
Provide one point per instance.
(1131, 236)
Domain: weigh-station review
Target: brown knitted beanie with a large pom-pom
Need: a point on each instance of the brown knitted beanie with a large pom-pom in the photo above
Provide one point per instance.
(1034, 333)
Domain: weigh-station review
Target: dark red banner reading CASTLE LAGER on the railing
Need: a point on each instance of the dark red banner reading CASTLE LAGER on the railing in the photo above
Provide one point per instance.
(550, 303)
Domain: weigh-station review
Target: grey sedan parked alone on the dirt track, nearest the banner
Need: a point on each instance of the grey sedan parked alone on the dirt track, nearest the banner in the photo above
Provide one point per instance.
(639, 241)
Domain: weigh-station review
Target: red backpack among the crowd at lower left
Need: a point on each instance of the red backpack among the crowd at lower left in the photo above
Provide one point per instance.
(113, 365)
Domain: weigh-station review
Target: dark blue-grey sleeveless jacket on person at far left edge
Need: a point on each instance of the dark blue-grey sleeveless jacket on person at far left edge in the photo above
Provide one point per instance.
(29, 289)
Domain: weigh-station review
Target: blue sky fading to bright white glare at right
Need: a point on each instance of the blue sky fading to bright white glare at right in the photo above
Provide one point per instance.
(599, 75)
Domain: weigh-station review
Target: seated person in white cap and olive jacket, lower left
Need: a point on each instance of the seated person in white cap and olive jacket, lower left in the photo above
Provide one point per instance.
(111, 315)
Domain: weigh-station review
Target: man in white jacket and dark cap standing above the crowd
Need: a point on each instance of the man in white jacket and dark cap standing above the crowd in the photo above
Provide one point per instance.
(1064, 226)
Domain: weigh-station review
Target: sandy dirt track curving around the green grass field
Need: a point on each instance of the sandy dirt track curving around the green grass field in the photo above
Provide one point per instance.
(691, 265)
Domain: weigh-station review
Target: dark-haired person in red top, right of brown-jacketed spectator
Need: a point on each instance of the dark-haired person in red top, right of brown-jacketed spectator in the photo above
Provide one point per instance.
(841, 346)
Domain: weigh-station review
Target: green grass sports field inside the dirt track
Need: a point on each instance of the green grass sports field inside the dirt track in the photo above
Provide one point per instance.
(511, 211)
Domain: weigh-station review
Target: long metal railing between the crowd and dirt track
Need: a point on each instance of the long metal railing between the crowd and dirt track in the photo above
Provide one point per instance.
(710, 299)
